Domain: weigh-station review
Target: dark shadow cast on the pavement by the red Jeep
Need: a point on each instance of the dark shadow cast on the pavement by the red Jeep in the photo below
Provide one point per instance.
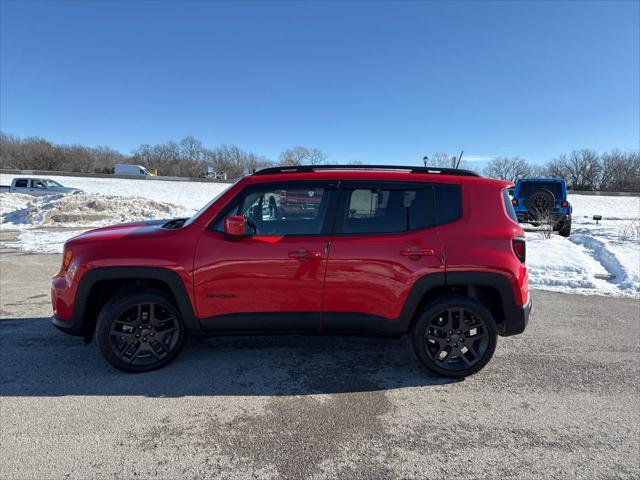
(37, 360)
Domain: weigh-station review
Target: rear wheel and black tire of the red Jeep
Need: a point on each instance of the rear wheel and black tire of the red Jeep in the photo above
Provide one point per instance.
(430, 338)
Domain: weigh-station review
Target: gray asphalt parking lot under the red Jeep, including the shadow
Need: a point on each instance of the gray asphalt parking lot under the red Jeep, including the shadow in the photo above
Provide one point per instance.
(559, 401)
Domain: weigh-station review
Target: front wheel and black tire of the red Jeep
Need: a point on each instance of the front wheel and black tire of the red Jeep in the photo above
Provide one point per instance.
(139, 331)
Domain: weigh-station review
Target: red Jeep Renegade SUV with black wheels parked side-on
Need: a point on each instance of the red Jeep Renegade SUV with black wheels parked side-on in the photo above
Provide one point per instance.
(349, 250)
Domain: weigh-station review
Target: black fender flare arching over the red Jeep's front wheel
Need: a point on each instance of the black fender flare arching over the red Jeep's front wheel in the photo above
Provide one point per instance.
(164, 275)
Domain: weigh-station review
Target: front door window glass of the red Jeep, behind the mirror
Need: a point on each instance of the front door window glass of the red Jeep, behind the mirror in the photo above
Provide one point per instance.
(281, 210)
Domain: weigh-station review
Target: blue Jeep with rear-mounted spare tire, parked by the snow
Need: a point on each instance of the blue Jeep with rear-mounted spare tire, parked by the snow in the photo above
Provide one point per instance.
(543, 201)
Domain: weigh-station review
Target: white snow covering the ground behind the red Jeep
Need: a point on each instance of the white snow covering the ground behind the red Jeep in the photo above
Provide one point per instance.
(560, 264)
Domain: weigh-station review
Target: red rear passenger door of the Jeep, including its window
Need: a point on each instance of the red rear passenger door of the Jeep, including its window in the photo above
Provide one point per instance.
(384, 239)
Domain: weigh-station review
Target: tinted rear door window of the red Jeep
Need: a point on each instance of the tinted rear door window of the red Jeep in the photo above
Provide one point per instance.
(388, 210)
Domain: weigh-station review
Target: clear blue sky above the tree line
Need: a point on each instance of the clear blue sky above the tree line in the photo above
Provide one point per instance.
(369, 81)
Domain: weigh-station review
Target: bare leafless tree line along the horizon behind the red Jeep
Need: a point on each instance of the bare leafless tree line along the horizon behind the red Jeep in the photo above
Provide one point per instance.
(582, 169)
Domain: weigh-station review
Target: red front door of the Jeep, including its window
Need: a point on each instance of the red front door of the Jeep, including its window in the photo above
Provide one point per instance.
(272, 279)
